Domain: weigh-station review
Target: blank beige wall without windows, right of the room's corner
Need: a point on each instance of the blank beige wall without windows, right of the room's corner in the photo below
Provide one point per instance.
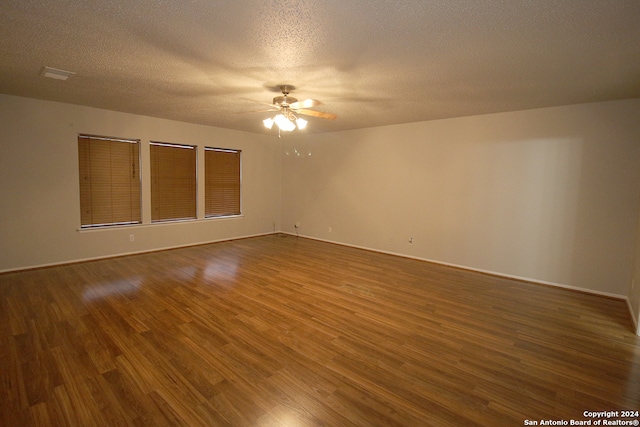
(547, 194)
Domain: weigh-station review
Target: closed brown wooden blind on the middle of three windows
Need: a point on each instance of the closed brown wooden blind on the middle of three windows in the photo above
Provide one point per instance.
(173, 182)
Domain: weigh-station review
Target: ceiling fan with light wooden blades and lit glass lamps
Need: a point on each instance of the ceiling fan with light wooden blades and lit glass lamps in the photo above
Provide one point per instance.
(288, 109)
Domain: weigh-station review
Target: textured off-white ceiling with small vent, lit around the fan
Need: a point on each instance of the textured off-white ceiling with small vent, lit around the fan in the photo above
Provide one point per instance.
(371, 62)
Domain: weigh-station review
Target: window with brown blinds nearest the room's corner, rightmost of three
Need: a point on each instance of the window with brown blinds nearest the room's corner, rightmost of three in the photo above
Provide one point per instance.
(222, 182)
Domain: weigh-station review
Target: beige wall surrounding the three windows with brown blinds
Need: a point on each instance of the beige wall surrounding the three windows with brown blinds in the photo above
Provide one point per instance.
(39, 195)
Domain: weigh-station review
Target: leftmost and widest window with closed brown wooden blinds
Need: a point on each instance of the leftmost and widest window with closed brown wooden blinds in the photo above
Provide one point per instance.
(109, 170)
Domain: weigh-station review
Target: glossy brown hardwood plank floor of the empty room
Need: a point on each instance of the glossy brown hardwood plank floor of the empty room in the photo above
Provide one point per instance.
(286, 331)
